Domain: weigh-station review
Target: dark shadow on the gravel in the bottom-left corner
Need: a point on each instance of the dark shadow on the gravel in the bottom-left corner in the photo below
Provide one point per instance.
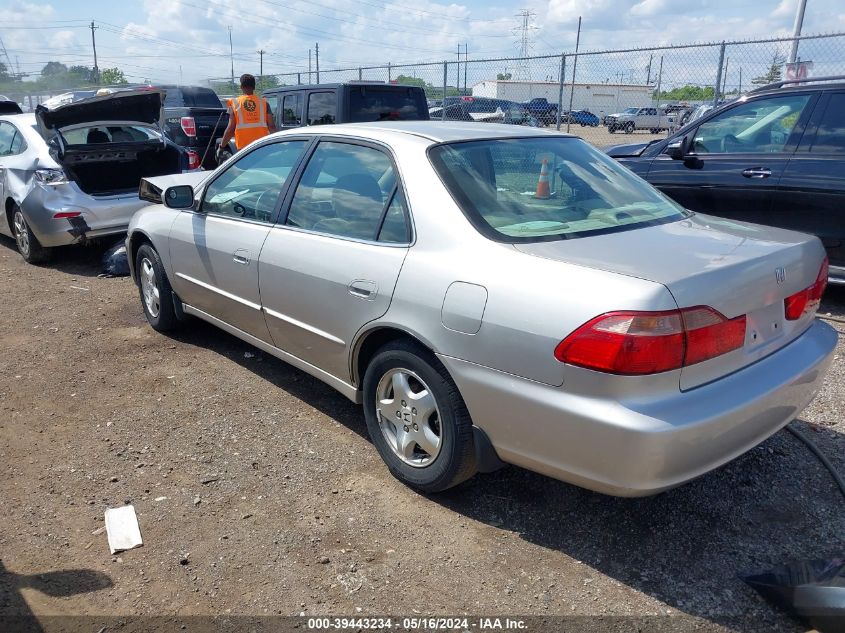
(15, 614)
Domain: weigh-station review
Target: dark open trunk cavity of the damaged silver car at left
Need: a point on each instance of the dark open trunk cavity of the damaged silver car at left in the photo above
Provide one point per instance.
(109, 169)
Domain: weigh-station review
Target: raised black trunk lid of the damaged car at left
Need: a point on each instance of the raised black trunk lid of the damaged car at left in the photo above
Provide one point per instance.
(137, 106)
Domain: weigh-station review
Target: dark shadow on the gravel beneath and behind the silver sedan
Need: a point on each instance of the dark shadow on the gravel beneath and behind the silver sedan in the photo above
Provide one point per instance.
(686, 547)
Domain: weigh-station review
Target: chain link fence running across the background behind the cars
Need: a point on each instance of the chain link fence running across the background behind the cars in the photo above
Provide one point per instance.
(660, 87)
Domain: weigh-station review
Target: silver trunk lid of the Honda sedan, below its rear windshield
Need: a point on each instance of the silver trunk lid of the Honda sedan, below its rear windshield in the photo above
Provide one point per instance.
(733, 267)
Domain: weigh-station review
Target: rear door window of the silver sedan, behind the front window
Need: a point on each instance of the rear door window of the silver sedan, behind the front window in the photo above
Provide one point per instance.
(343, 191)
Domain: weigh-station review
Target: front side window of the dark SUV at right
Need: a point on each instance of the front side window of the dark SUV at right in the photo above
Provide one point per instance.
(762, 126)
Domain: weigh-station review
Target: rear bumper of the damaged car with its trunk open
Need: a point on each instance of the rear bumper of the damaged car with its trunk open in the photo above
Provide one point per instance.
(98, 215)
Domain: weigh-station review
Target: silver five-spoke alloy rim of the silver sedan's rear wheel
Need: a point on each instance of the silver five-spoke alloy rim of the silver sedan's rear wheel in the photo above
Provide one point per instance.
(408, 417)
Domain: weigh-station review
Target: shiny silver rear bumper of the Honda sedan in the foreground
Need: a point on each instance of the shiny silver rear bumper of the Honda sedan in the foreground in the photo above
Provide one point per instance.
(644, 446)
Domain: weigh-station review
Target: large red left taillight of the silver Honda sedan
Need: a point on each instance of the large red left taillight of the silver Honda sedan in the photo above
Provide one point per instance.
(638, 343)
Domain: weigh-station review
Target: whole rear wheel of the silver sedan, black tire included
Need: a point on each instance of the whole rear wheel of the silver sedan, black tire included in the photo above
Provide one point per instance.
(417, 419)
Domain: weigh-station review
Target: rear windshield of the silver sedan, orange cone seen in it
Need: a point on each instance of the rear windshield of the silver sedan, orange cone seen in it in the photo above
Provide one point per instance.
(541, 189)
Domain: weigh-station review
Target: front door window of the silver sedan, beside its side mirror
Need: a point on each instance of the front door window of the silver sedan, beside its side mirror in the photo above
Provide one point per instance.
(250, 188)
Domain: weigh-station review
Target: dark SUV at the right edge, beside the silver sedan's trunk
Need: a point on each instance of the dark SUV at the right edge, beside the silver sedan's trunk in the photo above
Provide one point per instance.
(775, 156)
